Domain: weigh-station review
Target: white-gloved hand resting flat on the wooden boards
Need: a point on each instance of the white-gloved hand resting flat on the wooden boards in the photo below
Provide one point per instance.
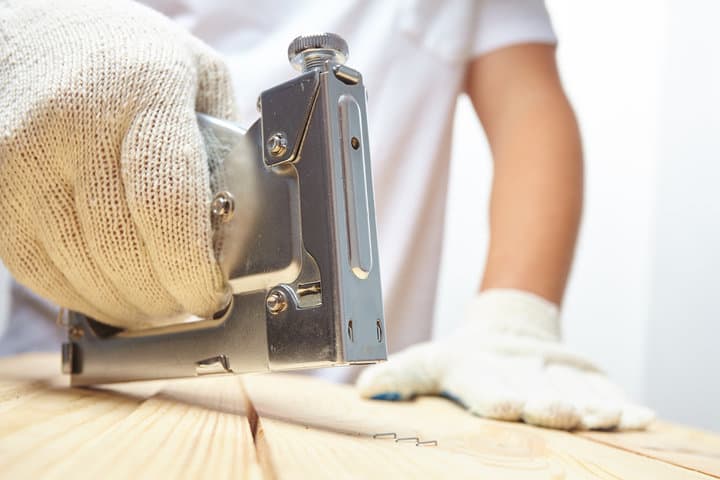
(506, 363)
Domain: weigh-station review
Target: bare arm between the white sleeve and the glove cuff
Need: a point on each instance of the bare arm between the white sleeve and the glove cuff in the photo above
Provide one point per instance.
(537, 188)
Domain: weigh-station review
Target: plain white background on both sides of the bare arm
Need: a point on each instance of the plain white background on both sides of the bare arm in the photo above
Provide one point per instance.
(643, 300)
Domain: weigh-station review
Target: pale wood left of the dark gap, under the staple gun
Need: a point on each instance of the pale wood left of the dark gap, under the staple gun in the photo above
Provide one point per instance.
(178, 429)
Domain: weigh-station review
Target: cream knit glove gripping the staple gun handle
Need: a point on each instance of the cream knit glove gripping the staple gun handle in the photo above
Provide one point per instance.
(105, 188)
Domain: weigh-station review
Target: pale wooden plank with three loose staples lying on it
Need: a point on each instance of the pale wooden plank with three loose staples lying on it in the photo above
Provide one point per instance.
(310, 429)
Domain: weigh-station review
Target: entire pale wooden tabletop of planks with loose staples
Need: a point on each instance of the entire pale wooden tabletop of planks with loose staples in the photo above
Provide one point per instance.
(290, 426)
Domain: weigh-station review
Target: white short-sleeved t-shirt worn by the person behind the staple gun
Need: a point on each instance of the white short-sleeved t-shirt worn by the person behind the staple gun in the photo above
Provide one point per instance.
(413, 56)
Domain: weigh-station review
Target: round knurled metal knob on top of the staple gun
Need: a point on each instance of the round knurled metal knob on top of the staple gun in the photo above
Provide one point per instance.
(309, 52)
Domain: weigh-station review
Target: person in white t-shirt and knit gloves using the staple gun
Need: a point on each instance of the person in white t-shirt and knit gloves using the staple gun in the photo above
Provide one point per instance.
(105, 187)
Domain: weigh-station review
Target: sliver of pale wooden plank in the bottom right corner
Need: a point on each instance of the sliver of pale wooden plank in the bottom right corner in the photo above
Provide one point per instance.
(690, 448)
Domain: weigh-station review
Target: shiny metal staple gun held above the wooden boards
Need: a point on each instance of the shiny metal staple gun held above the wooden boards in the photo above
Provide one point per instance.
(303, 271)
